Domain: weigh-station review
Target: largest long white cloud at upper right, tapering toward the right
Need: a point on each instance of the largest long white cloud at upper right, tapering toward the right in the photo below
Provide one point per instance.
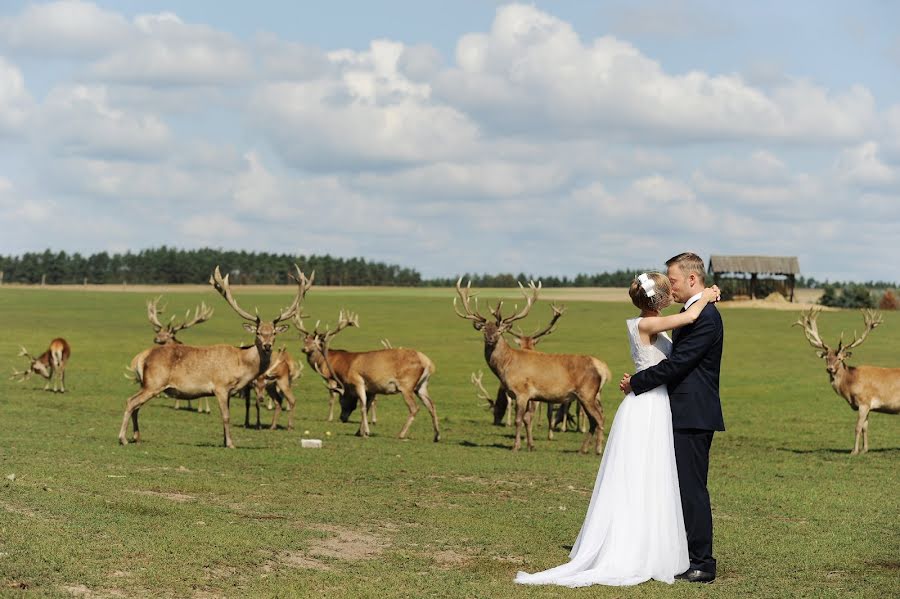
(532, 73)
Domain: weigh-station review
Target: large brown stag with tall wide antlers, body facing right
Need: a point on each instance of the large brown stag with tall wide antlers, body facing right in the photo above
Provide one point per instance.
(189, 372)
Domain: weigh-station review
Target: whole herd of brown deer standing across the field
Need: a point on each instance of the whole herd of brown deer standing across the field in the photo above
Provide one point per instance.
(527, 377)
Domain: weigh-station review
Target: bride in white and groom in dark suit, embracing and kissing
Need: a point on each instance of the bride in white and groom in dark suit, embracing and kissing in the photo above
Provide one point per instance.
(649, 515)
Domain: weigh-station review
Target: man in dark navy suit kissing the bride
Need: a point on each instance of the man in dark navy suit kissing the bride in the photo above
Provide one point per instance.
(692, 376)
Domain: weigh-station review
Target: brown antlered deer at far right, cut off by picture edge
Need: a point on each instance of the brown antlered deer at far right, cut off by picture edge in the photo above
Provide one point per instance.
(866, 388)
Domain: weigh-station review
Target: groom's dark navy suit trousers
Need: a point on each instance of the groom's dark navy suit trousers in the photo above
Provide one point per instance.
(692, 459)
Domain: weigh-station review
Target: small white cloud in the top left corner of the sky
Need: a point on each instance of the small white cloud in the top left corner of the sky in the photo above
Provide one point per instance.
(64, 29)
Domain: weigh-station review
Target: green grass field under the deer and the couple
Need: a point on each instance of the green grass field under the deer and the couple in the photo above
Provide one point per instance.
(179, 516)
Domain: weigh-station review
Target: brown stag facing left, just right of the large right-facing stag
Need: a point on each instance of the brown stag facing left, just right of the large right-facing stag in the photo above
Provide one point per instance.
(357, 377)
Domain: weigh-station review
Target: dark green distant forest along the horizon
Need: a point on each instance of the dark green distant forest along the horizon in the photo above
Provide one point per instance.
(167, 265)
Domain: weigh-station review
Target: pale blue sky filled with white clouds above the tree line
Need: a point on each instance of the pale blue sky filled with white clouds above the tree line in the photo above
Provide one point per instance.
(552, 137)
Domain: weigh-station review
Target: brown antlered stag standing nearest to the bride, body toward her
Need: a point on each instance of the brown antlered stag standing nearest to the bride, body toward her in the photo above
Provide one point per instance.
(531, 375)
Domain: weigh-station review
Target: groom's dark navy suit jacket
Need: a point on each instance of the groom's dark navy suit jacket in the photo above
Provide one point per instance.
(691, 373)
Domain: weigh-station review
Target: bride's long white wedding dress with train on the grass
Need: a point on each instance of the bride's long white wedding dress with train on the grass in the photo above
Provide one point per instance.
(634, 527)
